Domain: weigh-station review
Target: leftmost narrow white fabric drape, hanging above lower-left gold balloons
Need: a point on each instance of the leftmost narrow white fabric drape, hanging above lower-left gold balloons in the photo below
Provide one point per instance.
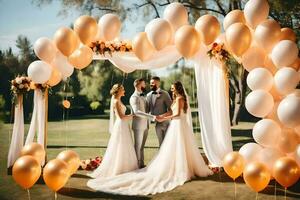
(17, 138)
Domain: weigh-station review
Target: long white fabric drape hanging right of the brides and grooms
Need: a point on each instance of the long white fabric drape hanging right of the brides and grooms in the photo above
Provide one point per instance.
(212, 107)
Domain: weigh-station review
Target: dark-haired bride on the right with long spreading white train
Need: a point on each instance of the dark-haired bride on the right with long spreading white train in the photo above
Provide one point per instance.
(177, 161)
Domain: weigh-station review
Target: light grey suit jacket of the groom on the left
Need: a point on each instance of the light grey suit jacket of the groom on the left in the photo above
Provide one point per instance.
(138, 102)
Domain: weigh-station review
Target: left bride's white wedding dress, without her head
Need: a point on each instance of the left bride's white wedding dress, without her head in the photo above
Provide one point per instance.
(120, 155)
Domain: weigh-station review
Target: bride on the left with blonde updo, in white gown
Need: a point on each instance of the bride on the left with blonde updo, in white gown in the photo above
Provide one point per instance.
(120, 155)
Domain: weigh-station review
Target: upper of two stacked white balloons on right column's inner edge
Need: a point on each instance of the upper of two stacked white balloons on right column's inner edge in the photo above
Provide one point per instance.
(260, 78)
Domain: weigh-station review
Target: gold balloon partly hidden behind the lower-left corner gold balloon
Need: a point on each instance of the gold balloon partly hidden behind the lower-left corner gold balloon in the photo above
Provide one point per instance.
(34, 149)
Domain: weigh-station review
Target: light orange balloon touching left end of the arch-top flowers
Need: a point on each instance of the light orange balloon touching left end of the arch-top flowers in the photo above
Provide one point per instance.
(82, 57)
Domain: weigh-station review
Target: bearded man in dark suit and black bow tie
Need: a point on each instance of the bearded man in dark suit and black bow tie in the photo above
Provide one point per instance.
(159, 103)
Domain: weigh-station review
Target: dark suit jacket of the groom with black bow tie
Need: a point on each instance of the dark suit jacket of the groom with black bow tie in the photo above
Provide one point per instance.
(162, 103)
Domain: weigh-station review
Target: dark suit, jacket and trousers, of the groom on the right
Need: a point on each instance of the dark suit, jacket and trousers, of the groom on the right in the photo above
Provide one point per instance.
(160, 106)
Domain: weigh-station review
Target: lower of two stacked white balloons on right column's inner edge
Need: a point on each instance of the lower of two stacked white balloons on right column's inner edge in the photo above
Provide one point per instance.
(259, 103)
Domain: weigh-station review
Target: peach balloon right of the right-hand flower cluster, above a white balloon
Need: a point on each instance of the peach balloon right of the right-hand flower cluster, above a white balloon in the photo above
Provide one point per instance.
(253, 57)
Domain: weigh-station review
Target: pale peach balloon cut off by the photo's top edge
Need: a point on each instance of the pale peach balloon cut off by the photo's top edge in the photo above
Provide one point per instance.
(256, 11)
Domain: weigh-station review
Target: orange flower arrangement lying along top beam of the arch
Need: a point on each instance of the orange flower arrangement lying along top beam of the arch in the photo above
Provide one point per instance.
(102, 47)
